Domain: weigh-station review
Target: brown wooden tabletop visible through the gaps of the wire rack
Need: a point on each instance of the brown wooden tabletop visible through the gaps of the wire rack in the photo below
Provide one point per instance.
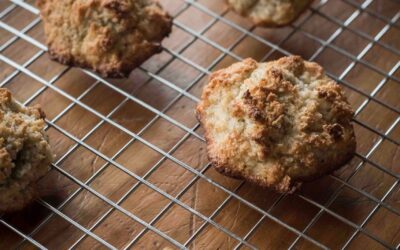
(111, 182)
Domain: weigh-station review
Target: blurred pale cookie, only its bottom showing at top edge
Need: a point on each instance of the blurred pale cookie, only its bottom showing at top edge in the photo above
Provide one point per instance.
(270, 13)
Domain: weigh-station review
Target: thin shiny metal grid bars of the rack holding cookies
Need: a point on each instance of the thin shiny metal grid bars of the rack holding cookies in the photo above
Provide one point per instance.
(199, 173)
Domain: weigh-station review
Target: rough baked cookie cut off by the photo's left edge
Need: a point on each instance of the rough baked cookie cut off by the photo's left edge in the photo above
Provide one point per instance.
(25, 153)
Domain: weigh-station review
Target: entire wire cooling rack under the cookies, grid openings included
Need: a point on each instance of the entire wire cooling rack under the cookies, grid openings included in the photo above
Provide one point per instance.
(356, 41)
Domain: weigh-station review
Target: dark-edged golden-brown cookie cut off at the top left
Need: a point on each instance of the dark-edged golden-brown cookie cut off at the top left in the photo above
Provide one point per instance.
(110, 37)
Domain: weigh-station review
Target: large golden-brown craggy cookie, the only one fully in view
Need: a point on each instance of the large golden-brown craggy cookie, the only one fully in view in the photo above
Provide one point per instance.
(276, 124)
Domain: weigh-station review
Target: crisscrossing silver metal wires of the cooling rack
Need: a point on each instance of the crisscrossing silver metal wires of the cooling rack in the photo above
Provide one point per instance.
(179, 54)
